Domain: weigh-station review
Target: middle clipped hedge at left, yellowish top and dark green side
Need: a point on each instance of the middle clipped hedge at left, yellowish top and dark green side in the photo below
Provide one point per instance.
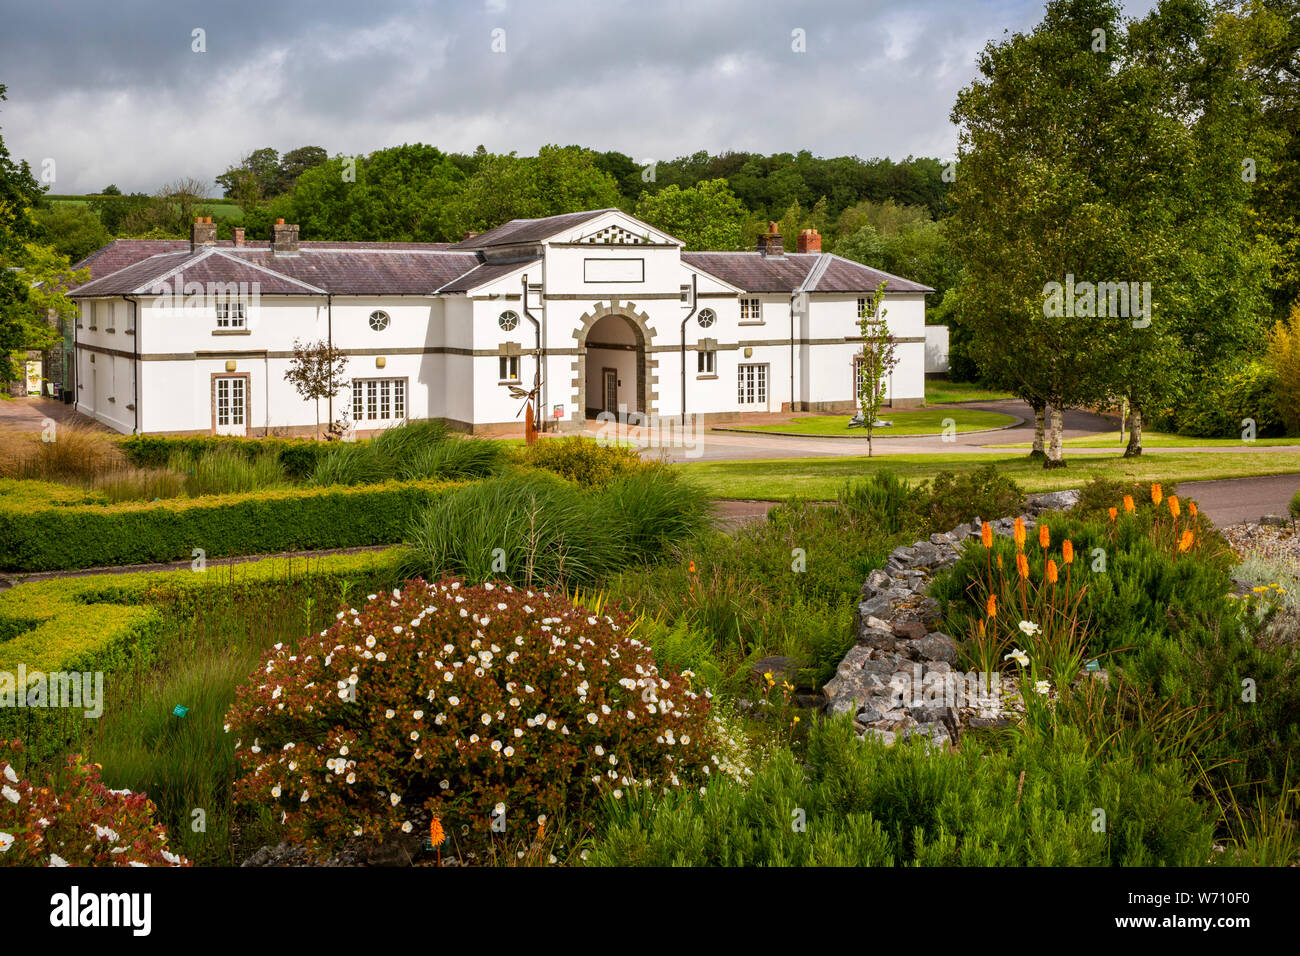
(46, 537)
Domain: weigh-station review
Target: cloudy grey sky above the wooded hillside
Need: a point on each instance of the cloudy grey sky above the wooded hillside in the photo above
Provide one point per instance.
(114, 92)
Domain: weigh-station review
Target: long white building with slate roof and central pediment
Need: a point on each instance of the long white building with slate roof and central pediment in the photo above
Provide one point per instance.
(196, 338)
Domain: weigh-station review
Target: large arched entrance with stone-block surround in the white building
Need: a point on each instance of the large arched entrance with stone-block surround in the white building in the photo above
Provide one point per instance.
(616, 370)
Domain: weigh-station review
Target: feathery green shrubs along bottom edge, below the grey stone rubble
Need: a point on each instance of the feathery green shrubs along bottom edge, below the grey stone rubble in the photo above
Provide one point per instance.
(863, 804)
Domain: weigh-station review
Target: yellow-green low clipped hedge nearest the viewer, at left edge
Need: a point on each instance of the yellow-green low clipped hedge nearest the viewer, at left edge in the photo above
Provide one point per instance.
(116, 622)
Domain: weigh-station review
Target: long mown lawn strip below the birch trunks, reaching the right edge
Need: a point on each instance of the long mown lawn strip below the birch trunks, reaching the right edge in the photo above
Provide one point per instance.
(824, 478)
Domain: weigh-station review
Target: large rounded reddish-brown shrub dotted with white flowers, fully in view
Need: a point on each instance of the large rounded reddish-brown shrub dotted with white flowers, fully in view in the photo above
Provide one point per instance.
(473, 704)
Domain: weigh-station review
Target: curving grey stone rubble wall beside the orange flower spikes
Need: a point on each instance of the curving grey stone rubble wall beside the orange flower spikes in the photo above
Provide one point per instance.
(899, 641)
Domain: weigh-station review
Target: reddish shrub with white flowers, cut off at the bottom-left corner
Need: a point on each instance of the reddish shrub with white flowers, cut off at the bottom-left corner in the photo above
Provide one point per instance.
(77, 824)
